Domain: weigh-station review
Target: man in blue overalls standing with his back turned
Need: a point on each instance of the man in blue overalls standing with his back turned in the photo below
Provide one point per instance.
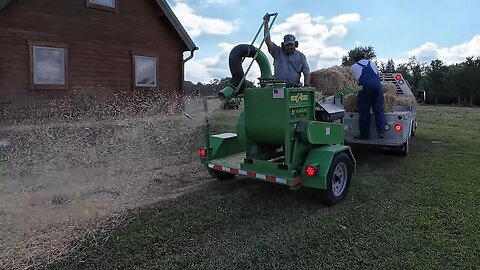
(366, 72)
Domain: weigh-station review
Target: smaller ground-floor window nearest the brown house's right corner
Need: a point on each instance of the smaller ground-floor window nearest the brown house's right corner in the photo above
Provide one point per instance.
(145, 71)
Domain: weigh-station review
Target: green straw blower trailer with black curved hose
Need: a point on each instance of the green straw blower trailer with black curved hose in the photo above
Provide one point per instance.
(280, 136)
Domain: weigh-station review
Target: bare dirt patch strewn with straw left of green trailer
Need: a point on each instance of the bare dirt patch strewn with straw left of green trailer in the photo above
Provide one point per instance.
(62, 180)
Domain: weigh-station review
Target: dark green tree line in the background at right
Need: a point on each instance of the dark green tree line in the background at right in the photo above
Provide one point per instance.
(457, 84)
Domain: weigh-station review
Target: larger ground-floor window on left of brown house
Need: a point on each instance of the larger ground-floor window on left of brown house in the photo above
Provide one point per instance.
(49, 67)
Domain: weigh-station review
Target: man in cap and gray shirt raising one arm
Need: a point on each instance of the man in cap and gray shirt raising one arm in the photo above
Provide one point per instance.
(288, 62)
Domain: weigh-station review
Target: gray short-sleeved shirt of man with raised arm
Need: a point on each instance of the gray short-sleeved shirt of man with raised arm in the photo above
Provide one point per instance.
(288, 67)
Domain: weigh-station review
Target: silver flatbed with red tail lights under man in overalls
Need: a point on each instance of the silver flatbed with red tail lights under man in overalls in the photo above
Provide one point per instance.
(400, 126)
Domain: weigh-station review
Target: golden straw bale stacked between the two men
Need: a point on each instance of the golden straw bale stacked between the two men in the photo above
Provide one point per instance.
(332, 80)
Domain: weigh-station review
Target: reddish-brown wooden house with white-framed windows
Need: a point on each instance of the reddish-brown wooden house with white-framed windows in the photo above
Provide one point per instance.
(95, 48)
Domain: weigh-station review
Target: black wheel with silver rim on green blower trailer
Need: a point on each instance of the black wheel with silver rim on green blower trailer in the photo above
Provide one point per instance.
(338, 179)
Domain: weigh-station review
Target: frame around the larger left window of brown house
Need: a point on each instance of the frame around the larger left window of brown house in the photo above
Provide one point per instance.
(35, 81)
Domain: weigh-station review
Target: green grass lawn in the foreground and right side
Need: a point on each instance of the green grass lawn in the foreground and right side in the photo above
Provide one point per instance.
(415, 212)
